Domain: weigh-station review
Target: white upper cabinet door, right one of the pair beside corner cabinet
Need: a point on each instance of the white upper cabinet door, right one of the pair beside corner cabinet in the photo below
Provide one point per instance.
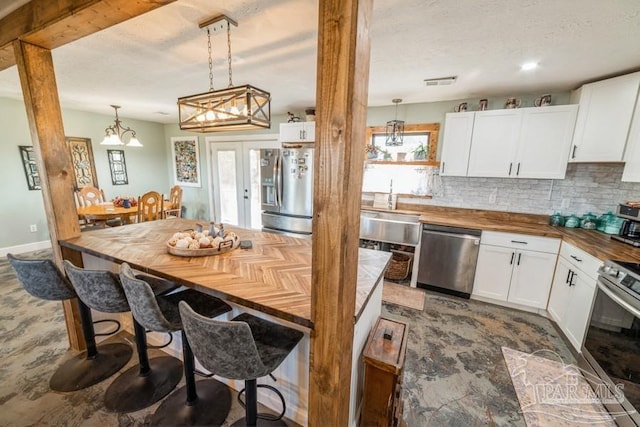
(545, 142)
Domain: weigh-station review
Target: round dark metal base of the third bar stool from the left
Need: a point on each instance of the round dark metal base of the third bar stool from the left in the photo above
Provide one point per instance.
(211, 408)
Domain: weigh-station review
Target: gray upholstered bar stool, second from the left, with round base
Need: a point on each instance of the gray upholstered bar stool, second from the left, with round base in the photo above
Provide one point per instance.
(146, 383)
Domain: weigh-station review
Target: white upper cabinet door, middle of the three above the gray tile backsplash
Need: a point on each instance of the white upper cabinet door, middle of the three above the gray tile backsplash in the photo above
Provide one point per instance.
(494, 141)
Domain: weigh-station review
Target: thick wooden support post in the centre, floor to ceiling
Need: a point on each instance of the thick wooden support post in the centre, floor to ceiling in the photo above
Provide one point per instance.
(342, 85)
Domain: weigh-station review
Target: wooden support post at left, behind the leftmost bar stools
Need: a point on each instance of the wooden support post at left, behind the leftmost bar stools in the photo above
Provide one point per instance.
(37, 78)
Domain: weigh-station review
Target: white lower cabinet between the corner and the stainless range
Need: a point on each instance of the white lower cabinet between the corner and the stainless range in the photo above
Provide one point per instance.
(572, 292)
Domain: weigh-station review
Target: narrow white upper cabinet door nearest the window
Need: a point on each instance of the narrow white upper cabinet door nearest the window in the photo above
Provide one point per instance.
(456, 144)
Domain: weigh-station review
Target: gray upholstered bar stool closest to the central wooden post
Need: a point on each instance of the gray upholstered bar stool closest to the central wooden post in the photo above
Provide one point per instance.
(245, 348)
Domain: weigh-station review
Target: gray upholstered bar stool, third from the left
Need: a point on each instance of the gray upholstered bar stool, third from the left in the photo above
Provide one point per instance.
(205, 402)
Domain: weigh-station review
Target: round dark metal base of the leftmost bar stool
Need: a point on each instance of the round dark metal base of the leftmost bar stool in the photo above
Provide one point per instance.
(79, 372)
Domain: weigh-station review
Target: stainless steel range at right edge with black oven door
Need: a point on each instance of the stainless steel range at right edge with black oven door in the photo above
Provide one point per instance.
(612, 342)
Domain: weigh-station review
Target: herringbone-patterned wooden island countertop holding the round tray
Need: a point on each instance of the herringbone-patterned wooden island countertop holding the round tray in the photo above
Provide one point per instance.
(273, 277)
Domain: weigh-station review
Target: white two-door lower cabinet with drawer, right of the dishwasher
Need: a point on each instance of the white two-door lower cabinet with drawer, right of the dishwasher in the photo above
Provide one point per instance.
(515, 268)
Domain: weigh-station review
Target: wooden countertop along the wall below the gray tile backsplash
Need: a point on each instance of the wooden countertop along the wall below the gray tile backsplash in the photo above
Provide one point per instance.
(593, 242)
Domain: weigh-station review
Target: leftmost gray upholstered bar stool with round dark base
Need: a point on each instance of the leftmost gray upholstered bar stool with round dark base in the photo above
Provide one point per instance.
(42, 279)
